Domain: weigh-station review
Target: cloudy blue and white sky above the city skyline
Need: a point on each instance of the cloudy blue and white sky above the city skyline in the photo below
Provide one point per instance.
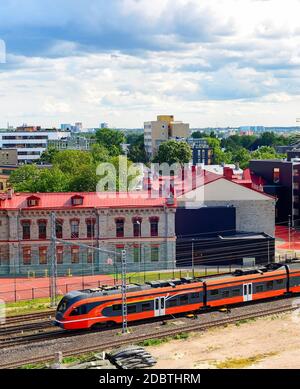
(208, 62)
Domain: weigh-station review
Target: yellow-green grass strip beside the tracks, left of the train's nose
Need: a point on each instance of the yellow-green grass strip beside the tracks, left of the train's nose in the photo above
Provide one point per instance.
(28, 306)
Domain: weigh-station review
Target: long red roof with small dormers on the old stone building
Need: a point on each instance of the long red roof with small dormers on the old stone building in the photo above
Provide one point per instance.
(90, 200)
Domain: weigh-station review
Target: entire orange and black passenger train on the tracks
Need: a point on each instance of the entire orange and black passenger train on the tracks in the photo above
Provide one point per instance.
(94, 308)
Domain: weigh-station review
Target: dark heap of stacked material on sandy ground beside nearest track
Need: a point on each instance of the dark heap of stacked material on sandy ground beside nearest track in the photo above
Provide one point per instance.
(132, 357)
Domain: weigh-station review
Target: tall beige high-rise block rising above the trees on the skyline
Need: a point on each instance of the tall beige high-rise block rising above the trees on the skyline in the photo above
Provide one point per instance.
(161, 130)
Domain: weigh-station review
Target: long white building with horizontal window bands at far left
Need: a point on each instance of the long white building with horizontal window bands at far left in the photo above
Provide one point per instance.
(30, 142)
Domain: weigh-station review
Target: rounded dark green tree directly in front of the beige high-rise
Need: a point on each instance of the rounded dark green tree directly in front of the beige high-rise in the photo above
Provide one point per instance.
(174, 152)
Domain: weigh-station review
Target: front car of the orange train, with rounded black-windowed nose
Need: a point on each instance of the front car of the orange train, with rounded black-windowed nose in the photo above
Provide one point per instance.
(96, 308)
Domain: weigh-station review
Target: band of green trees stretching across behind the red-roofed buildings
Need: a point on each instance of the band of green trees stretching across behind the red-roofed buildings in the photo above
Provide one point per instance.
(75, 170)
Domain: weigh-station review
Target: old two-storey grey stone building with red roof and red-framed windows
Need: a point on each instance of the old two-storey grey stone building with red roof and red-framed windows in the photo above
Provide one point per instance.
(84, 223)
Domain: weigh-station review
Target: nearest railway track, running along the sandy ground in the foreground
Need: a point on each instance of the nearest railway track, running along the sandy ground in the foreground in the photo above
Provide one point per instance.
(131, 338)
